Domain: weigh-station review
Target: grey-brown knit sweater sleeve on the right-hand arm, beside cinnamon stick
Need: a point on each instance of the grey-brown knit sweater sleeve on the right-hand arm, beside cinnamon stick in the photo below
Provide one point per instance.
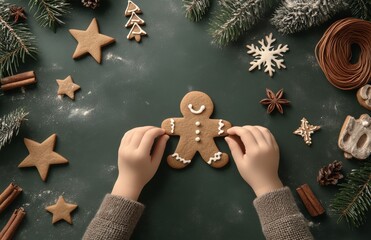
(280, 217)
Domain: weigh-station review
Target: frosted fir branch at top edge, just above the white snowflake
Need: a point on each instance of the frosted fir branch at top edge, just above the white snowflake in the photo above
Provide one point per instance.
(298, 15)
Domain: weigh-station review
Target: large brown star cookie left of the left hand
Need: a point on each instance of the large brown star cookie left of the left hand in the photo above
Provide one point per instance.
(42, 155)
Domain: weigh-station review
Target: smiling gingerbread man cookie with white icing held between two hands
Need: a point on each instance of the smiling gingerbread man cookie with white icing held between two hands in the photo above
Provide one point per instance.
(197, 132)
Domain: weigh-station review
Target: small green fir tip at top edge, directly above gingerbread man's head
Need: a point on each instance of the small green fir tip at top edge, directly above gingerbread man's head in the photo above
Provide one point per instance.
(195, 9)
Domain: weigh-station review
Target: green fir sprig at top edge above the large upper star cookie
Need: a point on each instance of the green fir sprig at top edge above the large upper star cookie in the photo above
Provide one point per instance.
(49, 13)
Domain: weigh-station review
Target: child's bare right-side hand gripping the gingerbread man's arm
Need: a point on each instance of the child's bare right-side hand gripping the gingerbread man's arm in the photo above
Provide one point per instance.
(256, 154)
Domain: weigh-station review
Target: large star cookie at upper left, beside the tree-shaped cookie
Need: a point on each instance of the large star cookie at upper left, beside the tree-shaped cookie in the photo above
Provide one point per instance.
(90, 41)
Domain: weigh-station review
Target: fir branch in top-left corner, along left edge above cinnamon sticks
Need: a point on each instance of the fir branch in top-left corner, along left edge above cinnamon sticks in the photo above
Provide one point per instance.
(17, 41)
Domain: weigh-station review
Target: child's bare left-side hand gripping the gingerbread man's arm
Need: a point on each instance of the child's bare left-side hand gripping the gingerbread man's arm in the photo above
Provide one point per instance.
(136, 163)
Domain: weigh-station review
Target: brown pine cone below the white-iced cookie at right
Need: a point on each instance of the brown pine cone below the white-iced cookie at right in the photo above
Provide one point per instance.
(330, 174)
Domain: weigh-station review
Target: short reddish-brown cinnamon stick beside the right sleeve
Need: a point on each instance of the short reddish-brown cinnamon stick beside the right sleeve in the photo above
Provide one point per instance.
(310, 201)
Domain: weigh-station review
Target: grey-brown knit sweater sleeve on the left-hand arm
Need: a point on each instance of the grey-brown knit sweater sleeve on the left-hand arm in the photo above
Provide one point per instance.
(115, 219)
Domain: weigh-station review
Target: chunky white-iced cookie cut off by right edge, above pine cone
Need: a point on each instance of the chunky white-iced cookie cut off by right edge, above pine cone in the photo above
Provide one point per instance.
(355, 137)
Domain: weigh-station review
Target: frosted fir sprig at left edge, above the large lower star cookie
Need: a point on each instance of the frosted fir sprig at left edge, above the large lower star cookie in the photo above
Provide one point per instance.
(10, 124)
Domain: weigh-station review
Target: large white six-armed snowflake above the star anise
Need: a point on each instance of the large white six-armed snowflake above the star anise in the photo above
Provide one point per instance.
(267, 55)
